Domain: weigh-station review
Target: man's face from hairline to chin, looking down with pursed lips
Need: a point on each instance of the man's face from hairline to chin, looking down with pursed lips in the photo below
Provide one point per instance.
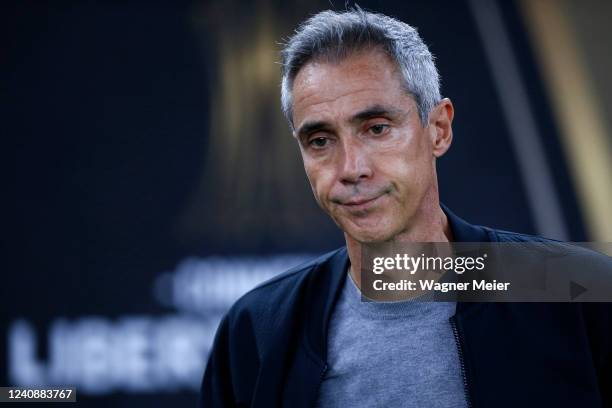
(370, 162)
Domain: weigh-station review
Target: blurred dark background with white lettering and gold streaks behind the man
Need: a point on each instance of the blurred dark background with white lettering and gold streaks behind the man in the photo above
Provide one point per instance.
(150, 178)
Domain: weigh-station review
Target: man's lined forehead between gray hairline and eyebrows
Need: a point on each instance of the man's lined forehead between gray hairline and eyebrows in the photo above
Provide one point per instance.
(327, 88)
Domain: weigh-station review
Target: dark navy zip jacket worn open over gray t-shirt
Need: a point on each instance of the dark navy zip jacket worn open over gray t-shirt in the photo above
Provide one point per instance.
(270, 349)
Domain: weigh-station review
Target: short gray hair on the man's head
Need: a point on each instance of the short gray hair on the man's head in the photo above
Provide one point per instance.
(335, 35)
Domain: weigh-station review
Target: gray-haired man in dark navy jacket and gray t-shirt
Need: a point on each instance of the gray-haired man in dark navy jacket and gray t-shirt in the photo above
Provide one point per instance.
(361, 93)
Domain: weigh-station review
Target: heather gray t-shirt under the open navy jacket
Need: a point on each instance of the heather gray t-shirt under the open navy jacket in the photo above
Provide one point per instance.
(396, 354)
